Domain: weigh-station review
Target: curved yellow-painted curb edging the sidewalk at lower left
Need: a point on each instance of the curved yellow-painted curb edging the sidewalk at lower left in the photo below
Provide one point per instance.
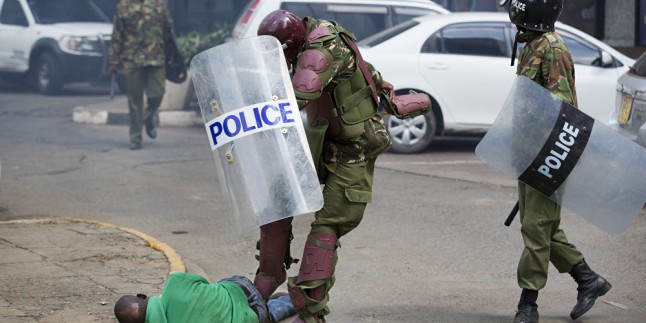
(176, 264)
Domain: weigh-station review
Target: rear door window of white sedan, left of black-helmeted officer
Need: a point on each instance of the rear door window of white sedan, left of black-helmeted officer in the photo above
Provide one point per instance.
(468, 39)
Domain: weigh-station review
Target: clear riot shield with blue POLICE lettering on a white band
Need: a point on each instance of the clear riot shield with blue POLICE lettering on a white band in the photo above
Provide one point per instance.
(254, 126)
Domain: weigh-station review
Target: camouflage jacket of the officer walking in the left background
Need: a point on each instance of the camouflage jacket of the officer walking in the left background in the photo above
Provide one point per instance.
(140, 28)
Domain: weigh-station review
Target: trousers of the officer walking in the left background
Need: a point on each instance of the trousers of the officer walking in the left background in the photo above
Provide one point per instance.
(140, 81)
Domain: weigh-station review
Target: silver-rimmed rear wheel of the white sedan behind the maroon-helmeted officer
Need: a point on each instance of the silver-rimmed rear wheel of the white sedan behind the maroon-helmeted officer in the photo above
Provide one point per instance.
(413, 135)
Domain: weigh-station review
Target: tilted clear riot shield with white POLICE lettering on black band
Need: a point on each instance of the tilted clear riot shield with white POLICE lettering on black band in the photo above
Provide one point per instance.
(575, 160)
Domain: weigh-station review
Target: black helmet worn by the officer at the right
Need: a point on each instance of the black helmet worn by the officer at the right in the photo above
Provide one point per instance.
(539, 15)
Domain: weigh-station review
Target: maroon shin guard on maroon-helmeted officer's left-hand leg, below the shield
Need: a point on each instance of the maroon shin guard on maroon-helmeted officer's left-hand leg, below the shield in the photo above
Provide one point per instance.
(274, 256)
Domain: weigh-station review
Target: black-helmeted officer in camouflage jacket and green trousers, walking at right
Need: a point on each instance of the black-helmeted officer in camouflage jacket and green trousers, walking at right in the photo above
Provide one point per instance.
(546, 60)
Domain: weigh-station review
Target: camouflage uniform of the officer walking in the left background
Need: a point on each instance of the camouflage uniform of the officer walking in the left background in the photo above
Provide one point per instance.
(141, 27)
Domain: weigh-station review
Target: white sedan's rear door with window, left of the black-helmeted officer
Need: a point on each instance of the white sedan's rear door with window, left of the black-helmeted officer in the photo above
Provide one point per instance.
(468, 66)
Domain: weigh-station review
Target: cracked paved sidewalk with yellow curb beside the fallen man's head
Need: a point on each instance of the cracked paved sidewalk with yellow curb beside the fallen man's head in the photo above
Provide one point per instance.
(72, 270)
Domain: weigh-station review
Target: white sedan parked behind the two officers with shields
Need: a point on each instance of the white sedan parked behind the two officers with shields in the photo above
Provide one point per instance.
(463, 61)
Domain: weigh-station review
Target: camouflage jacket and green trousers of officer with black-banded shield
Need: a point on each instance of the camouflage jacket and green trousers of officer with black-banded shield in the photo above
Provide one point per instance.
(546, 60)
